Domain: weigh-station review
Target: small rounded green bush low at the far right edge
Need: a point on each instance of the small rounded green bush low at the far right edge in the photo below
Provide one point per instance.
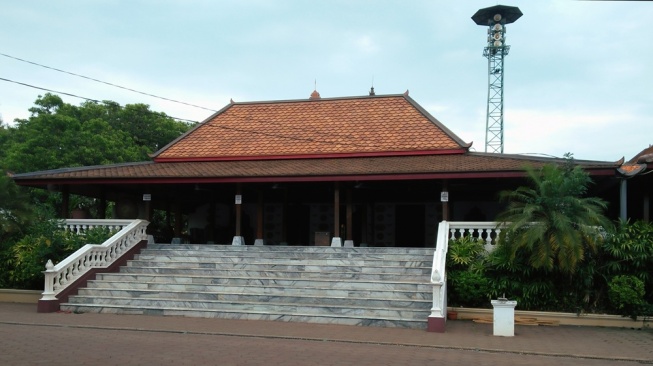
(627, 295)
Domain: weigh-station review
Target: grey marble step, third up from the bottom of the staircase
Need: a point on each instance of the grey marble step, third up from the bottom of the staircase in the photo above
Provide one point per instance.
(421, 284)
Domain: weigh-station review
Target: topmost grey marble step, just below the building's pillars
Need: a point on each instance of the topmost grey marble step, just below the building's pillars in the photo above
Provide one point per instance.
(207, 248)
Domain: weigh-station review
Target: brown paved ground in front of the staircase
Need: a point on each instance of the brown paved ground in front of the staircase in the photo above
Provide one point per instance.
(30, 338)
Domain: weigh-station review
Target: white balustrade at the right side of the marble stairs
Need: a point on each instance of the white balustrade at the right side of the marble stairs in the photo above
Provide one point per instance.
(488, 231)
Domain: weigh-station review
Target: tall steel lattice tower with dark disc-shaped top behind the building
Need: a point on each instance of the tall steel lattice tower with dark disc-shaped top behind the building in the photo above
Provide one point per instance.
(495, 18)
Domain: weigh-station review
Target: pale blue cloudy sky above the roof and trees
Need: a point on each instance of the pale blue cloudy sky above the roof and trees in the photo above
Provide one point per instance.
(578, 78)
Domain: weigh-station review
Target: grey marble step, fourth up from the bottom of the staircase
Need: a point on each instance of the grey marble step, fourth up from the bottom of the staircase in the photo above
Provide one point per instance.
(333, 274)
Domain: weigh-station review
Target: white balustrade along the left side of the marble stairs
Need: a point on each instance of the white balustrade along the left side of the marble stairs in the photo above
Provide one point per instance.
(58, 277)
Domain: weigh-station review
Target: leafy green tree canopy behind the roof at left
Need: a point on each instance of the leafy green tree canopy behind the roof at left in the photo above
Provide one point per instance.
(59, 134)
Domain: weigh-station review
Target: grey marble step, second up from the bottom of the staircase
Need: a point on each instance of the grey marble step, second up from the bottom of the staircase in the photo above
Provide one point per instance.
(282, 298)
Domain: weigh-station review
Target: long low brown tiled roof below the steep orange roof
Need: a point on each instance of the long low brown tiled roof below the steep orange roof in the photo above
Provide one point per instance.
(395, 167)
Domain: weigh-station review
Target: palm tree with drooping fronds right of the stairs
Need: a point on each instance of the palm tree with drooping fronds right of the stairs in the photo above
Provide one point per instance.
(551, 219)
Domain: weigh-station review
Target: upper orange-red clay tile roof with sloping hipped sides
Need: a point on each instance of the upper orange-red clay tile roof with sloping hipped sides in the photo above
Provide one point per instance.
(354, 126)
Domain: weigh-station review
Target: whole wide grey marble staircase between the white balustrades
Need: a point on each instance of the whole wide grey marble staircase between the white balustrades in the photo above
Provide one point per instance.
(357, 286)
